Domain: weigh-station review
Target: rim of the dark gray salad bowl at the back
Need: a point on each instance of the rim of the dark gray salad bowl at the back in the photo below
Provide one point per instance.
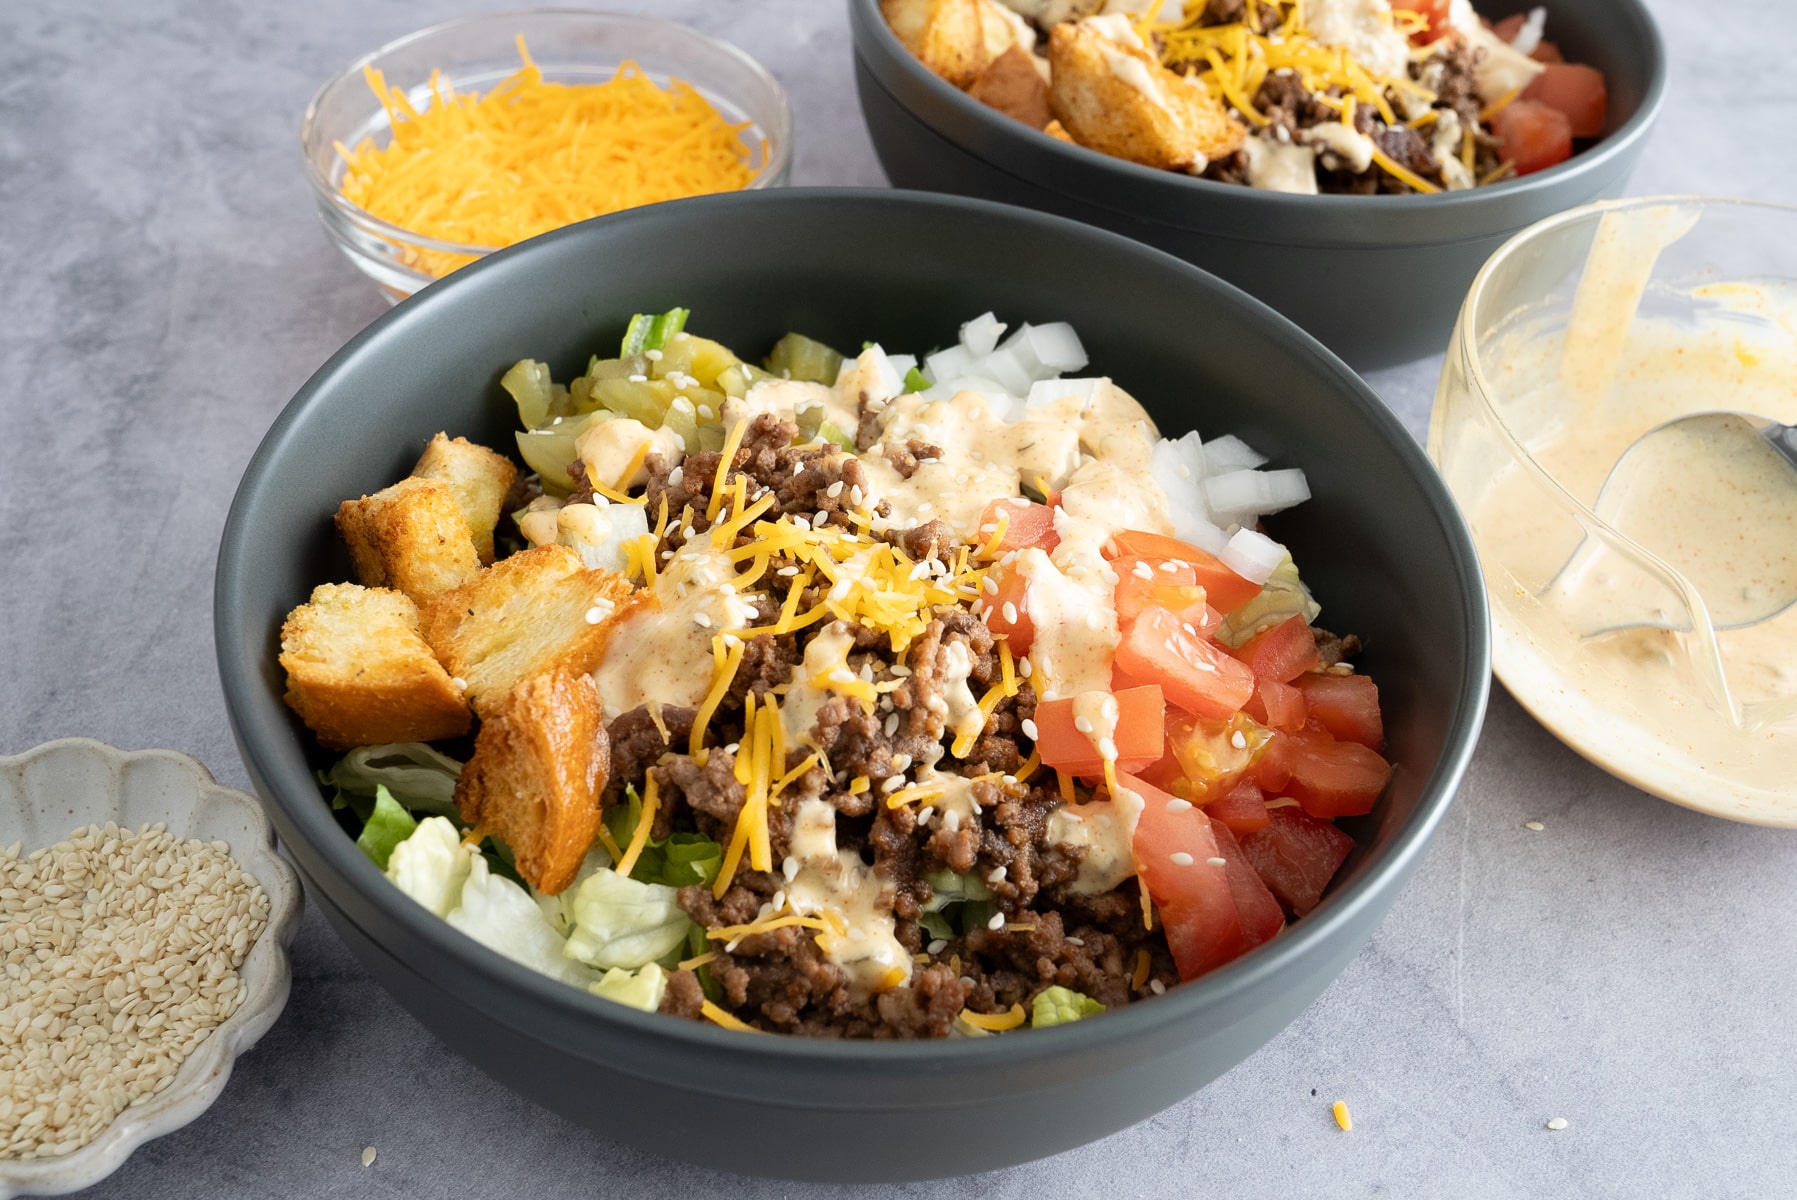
(1336, 213)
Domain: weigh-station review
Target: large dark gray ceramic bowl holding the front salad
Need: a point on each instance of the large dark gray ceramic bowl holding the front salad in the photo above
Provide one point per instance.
(1381, 543)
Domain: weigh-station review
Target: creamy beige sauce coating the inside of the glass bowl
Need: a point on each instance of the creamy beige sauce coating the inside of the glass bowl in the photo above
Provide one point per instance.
(1652, 705)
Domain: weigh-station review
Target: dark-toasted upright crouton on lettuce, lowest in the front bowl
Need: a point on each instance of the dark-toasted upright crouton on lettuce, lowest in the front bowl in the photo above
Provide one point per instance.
(536, 775)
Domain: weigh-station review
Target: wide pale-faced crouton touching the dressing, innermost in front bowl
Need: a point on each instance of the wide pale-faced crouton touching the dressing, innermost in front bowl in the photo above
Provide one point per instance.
(526, 615)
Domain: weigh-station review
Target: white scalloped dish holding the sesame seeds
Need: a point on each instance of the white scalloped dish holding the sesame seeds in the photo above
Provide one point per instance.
(58, 788)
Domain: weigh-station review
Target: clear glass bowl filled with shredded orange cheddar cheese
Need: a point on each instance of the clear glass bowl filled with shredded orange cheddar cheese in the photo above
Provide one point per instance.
(468, 137)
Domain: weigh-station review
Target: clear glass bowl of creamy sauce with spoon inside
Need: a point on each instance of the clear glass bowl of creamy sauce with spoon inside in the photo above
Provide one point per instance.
(1579, 337)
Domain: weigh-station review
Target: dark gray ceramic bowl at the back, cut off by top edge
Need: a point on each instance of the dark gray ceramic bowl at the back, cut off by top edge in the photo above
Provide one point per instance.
(1377, 279)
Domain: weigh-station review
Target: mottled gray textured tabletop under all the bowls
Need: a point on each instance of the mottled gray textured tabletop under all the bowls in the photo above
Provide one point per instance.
(1631, 967)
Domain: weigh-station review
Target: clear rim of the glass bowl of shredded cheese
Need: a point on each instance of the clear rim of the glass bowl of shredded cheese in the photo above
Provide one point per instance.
(779, 139)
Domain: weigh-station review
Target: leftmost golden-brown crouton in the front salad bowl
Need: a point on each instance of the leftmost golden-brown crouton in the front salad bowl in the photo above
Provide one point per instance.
(360, 675)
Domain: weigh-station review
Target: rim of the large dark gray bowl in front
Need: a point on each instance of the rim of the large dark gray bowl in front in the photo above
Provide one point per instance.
(297, 793)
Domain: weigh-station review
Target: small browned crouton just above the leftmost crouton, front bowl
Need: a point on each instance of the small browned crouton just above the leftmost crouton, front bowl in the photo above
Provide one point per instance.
(412, 538)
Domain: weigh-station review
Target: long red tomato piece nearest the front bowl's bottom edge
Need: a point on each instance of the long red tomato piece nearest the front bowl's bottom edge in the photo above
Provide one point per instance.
(1174, 849)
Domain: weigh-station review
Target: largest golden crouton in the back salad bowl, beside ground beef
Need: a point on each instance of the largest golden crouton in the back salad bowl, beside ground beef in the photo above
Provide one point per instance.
(1117, 100)
